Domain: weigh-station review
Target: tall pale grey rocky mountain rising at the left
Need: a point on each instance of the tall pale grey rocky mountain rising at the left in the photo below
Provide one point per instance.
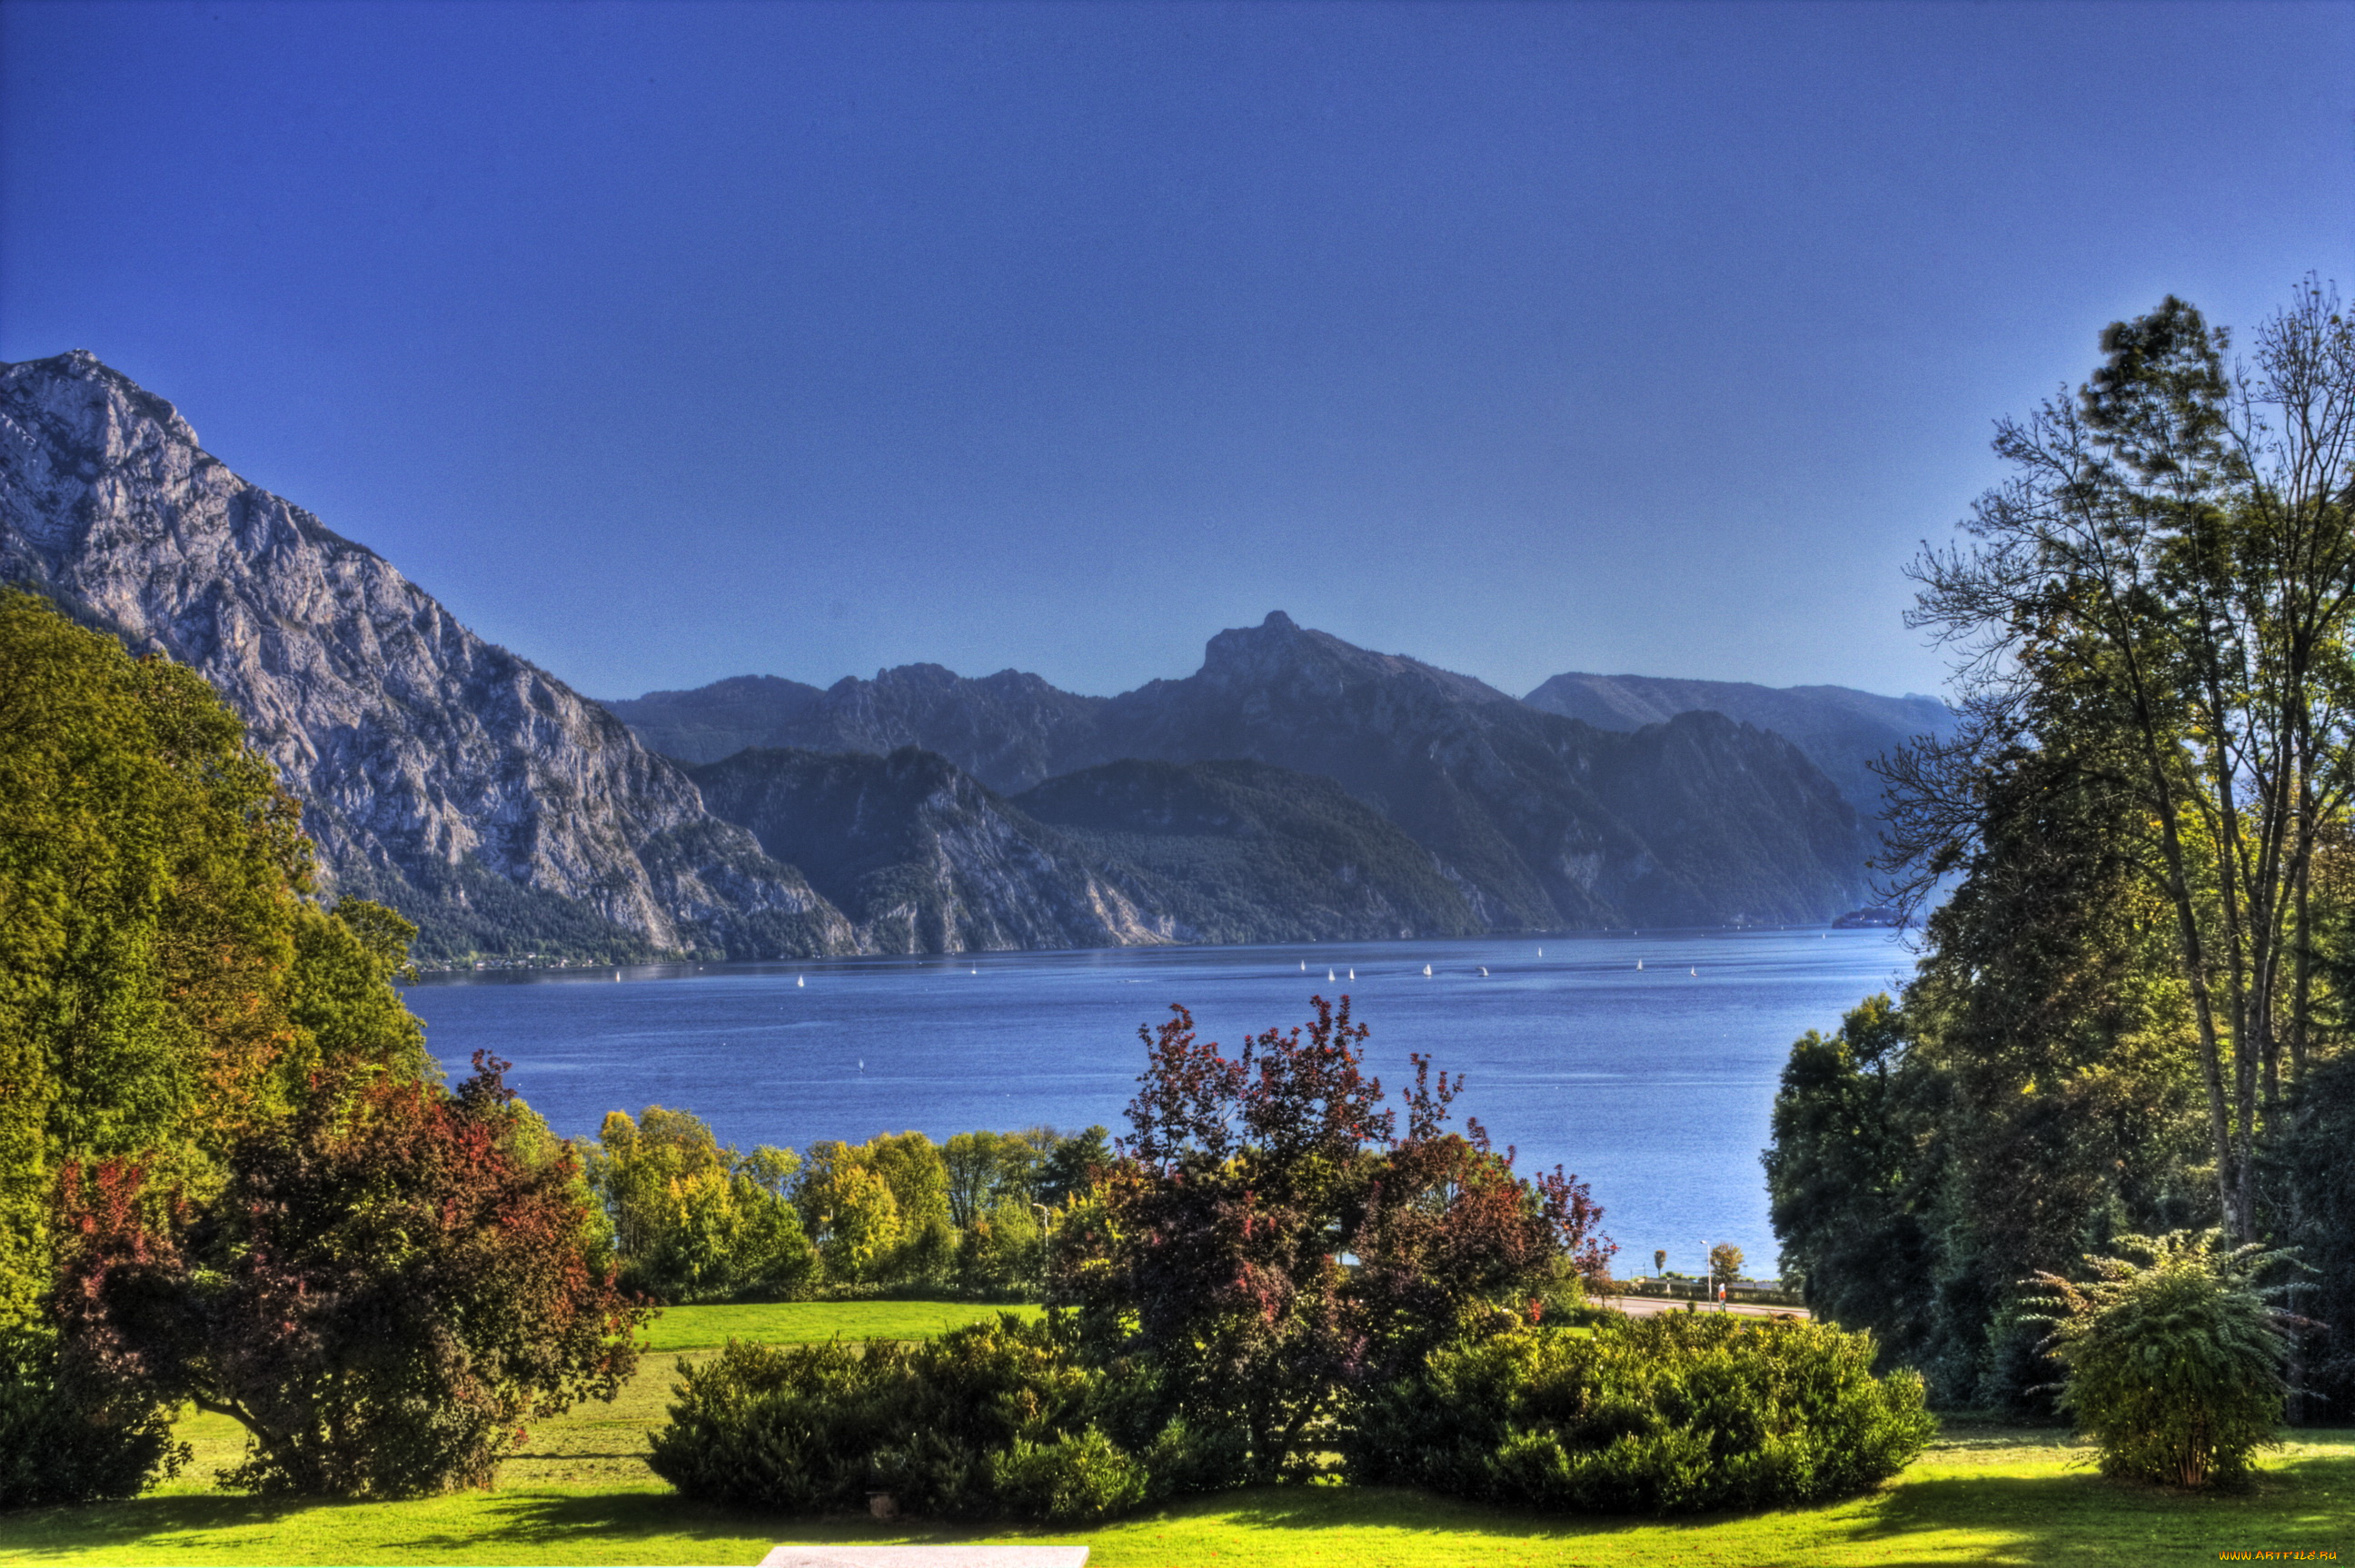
(437, 771)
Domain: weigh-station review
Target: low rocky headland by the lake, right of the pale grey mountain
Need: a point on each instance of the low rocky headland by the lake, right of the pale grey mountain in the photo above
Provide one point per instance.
(929, 861)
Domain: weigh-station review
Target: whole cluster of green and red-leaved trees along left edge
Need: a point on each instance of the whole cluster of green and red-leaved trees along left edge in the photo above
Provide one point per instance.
(230, 1174)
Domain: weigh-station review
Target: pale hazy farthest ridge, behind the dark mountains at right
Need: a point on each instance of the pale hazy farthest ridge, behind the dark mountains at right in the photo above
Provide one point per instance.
(1840, 729)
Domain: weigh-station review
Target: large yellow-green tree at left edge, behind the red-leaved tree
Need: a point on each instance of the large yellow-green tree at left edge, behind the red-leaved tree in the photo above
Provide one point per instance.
(166, 992)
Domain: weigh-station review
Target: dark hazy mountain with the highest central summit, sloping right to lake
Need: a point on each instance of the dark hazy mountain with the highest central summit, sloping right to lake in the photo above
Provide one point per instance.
(1541, 820)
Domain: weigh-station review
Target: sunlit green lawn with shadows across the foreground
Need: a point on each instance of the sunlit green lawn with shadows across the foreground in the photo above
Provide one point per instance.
(581, 1494)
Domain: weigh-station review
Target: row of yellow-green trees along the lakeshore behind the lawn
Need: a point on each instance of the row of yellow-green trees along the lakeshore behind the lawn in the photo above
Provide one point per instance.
(696, 1221)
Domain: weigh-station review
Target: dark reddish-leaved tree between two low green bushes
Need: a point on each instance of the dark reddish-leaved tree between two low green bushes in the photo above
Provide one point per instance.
(1266, 1242)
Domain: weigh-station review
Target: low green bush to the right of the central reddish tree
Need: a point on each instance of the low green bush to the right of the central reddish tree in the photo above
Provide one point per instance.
(1645, 1416)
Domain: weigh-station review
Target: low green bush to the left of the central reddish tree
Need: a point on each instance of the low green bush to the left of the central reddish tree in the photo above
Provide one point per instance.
(990, 1421)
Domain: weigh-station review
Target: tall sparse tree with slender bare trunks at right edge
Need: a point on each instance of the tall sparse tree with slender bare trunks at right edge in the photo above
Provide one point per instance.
(2165, 592)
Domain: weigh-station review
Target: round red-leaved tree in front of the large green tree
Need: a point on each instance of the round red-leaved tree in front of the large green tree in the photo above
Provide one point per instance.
(387, 1289)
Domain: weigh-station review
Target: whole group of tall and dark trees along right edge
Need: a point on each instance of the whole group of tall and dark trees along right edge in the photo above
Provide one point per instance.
(2132, 1014)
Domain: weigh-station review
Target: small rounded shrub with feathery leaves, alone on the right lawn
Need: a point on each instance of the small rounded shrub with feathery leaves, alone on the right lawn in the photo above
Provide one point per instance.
(2175, 1364)
